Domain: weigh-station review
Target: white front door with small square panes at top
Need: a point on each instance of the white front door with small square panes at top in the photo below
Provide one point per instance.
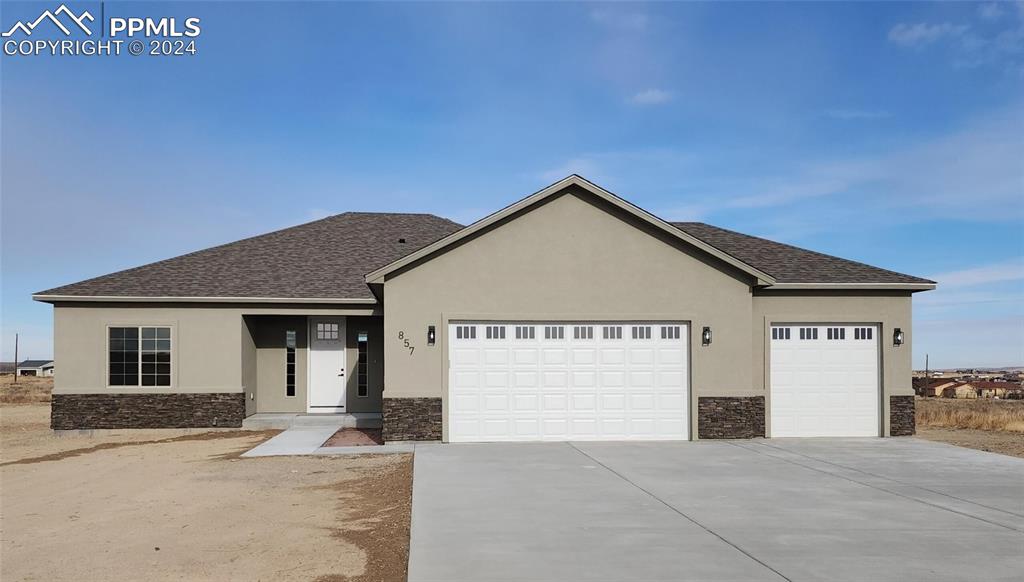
(327, 365)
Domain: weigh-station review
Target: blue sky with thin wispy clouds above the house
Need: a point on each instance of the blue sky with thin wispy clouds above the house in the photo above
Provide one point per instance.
(890, 134)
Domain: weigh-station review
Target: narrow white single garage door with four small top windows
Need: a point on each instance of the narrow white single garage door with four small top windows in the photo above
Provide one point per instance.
(825, 381)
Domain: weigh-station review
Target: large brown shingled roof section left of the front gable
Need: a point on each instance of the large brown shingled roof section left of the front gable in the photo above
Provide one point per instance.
(320, 262)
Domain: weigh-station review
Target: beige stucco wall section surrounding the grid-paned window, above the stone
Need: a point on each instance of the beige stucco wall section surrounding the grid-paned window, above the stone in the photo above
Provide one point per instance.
(205, 348)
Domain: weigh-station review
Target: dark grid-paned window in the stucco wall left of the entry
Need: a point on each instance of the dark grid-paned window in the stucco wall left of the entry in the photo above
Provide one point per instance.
(140, 356)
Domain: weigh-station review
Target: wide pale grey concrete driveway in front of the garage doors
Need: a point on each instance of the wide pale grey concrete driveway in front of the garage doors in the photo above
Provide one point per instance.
(812, 510)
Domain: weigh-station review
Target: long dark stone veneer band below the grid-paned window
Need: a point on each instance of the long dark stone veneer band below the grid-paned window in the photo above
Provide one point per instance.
(80, 412)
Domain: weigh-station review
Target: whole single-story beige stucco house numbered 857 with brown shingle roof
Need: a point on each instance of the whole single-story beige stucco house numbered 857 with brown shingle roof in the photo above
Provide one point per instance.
(569, 315)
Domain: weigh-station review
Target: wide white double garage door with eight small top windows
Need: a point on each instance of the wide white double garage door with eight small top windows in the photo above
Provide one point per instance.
(559, 382)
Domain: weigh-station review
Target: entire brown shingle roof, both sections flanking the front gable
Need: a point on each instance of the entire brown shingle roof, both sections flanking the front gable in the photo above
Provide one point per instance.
(328, 260)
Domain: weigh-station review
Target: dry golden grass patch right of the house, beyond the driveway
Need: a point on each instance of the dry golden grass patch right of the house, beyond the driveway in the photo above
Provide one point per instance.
(983, 414)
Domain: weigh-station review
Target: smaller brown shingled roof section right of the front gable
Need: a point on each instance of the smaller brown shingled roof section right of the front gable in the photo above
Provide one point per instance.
(792, 265)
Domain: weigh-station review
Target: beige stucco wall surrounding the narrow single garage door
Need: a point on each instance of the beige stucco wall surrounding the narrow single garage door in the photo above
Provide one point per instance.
(889, 310)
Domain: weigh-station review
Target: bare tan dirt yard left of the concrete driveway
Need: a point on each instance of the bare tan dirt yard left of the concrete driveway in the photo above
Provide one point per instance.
(178, 506)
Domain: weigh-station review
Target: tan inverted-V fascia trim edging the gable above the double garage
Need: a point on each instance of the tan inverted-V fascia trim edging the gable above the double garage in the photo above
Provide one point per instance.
(557, 189)
